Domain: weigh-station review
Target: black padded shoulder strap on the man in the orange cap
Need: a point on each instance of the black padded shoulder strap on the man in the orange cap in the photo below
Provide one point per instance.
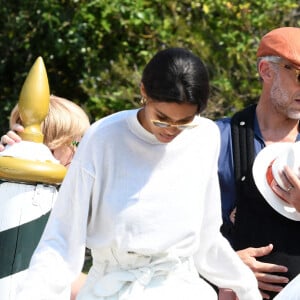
(242, 132)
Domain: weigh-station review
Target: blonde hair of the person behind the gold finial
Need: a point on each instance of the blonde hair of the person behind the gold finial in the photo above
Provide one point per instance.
(66, 122)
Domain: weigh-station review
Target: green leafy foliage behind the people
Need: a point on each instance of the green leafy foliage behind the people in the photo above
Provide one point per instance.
(94, 51)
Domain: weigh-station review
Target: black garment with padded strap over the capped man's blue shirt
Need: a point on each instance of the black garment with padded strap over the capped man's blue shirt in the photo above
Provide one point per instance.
(257, 224)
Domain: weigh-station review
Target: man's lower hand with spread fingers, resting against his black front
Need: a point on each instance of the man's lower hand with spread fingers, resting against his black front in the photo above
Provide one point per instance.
(266, 281)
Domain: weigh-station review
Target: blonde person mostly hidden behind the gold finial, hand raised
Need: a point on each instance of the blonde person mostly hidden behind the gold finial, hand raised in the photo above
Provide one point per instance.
(63, 128)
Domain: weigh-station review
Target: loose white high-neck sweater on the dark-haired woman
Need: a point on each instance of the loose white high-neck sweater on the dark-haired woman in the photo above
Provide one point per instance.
(127, 191)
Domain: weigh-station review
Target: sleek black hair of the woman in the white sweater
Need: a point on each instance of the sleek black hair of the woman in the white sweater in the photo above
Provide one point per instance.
(177, 75)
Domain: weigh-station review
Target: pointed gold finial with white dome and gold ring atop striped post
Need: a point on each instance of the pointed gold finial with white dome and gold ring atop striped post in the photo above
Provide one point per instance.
(30, 160)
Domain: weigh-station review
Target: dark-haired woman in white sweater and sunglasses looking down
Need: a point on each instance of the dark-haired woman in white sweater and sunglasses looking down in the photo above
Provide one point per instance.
(142, 193)
